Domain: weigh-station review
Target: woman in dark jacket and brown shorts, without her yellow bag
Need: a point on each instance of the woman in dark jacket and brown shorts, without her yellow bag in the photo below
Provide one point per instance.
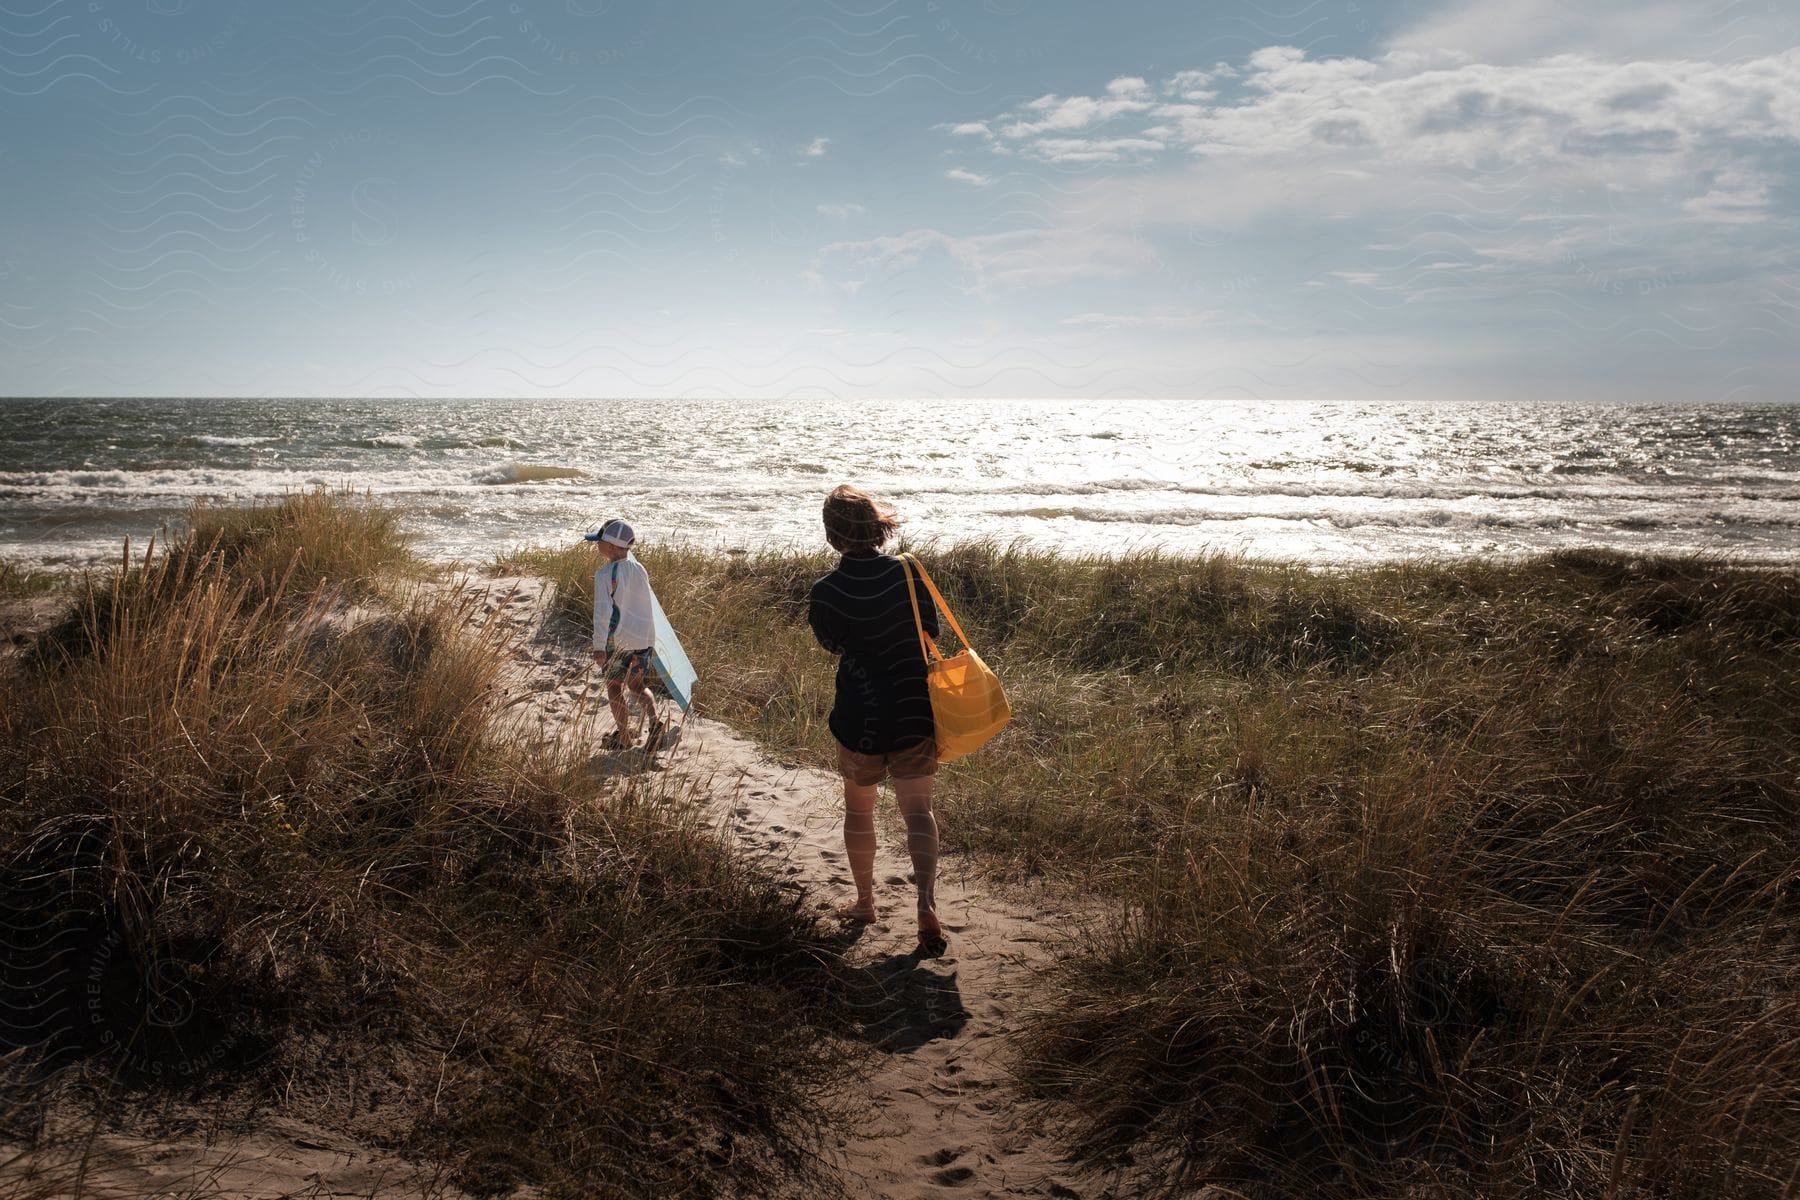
(883, 713)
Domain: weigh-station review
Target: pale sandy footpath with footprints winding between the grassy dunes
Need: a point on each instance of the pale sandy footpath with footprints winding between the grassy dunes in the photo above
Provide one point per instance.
(939, 1120)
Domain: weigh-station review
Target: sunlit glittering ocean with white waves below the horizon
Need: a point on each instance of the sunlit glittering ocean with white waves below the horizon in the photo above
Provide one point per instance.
(1322, 483)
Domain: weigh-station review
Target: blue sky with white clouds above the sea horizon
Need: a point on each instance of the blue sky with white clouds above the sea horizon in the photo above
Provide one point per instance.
(1470, 201)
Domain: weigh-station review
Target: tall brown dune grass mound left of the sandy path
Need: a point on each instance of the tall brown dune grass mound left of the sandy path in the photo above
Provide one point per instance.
(258, 843)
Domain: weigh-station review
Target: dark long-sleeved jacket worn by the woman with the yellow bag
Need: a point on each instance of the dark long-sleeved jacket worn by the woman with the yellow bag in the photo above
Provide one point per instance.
(861, 613)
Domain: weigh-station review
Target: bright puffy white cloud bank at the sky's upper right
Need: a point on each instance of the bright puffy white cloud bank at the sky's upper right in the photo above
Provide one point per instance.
(1383, 123)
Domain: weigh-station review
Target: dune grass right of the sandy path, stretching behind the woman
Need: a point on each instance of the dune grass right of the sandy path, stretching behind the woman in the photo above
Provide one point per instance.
(1446, 879)
